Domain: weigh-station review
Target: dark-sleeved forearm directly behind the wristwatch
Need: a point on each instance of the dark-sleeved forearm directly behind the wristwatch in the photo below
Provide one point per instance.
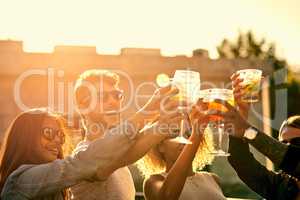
(270, 147)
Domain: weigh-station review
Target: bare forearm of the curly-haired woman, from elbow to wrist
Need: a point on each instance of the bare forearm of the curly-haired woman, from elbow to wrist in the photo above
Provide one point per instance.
(175, 180)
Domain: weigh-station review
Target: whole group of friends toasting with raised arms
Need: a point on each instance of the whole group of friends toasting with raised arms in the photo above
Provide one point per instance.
(35, 164)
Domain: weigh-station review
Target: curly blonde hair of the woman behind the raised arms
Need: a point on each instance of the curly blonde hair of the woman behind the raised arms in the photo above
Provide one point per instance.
(154, 163)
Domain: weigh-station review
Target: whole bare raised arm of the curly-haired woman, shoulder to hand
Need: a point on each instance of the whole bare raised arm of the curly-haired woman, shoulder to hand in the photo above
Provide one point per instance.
(156, 187)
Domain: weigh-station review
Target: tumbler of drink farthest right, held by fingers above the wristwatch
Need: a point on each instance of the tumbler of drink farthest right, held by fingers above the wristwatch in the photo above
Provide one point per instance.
(251, 82)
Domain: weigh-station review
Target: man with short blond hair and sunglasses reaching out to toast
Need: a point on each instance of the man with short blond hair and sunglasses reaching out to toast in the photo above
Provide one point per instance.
(99, 101)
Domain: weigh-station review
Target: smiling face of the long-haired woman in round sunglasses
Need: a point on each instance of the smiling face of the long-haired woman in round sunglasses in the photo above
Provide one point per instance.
(50, 140)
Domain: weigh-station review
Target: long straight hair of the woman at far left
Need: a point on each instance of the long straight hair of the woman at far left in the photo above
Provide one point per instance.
(19, 142)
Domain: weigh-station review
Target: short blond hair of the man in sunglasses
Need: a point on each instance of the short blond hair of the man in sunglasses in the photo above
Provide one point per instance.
(92, 76)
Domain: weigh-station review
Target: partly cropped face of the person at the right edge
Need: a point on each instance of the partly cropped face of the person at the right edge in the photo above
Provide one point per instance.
(289, 134)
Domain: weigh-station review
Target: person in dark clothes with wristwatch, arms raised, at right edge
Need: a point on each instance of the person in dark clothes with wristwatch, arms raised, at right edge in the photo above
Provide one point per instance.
(269, 184)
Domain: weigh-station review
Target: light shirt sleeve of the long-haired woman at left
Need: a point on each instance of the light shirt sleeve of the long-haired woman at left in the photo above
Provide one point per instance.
(36, 180)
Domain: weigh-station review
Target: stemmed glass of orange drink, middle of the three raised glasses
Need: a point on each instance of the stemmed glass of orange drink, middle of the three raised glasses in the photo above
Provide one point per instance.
(215, 128)
